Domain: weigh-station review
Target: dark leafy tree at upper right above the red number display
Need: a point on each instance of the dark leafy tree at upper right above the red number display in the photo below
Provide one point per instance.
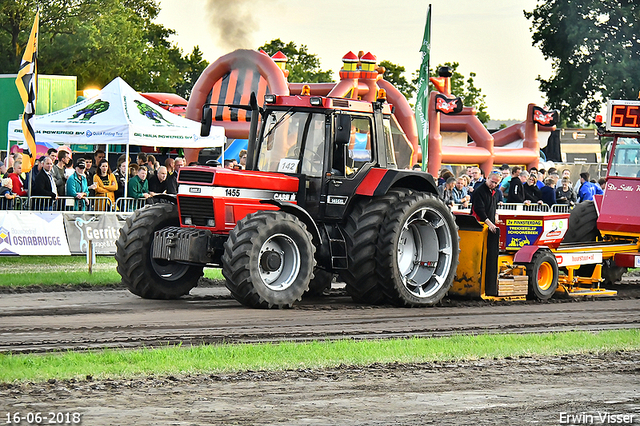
(594, 46)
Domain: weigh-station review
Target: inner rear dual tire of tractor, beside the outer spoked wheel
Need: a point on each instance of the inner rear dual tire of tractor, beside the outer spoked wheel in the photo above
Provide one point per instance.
(361, 235)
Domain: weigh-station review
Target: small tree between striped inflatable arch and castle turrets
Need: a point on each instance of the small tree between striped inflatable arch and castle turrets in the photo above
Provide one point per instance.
(303, 66)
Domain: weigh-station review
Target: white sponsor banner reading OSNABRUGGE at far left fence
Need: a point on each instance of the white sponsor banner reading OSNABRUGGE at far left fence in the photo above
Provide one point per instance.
(32, 233)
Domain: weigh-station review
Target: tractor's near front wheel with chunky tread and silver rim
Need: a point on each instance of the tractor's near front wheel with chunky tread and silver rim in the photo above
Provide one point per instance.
(268, 260)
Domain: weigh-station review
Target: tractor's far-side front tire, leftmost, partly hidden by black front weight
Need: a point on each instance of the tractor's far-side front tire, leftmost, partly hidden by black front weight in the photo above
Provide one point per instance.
(144, 276)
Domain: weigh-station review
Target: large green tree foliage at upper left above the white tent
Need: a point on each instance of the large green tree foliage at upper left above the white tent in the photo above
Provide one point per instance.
(98, 41)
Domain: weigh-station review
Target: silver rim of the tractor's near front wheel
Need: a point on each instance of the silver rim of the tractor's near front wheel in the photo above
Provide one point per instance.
(287, 272)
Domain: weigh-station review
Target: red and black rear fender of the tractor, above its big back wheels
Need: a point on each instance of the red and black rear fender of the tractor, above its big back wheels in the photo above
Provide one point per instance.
(378, 181)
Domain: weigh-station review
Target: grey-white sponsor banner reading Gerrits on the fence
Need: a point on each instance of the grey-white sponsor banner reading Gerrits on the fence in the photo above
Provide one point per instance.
(101, 229)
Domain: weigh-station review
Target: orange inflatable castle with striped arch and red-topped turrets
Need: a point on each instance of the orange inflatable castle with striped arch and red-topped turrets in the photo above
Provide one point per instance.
(232, 78)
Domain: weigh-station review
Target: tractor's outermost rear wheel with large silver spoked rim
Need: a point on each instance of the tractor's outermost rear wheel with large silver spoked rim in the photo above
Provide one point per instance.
(417, 253)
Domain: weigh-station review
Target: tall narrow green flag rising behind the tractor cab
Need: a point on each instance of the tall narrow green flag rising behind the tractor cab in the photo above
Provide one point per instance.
(422, 95)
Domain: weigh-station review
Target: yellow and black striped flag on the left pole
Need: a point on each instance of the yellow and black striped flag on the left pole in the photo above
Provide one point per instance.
(27, 83)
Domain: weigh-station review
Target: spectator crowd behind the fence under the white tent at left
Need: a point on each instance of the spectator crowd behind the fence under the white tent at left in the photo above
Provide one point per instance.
(85, 182)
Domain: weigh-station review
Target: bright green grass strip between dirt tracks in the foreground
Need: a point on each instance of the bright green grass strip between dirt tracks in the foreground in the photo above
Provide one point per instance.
(317, 354)
